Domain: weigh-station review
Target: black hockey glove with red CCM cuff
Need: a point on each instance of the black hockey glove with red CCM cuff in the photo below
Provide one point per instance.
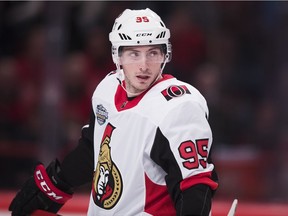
(44, 190)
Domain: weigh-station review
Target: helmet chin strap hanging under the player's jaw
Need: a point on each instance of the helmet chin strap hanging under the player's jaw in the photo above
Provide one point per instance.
(121, 73)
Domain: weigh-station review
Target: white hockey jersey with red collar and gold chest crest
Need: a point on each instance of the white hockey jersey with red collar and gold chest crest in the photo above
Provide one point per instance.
(148, 149)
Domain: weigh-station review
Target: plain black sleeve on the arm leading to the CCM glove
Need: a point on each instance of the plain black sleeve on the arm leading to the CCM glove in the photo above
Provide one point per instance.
(77, 167)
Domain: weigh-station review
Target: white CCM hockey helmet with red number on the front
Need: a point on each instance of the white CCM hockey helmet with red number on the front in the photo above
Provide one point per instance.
(138, 27)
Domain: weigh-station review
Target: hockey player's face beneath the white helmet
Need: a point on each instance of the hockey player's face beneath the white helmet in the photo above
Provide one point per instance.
(141, 66)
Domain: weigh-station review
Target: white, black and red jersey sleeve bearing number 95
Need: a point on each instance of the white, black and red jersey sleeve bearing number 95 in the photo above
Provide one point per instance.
(182, 148)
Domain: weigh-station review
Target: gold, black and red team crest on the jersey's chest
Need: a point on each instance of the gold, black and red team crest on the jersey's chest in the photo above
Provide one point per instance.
(107, 182)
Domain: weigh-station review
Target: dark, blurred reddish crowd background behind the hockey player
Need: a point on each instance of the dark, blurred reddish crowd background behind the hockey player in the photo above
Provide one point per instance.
(53, 54)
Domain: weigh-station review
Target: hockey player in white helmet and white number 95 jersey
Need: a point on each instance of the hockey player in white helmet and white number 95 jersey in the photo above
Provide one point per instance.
(147, 147)
